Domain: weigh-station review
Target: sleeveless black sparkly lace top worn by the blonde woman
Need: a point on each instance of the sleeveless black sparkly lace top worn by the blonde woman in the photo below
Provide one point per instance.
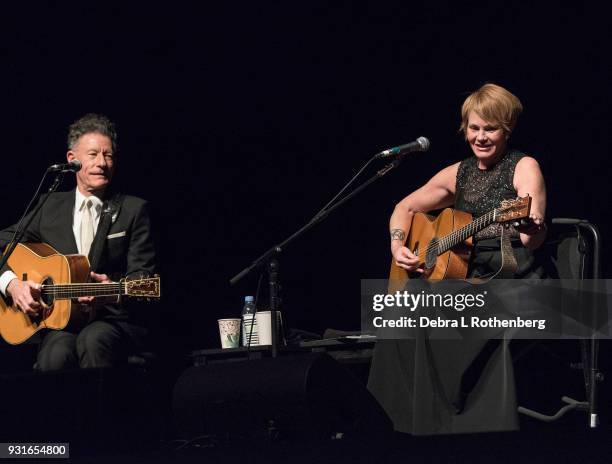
(479, 191)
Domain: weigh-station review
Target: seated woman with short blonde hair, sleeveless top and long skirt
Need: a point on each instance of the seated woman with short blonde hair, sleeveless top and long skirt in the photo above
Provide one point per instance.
(461, 386)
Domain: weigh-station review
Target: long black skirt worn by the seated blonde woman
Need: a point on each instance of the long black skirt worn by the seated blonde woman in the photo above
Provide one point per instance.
(451, 386)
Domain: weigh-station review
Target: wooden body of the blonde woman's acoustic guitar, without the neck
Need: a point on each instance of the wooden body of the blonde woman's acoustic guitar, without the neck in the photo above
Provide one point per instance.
(452, 264)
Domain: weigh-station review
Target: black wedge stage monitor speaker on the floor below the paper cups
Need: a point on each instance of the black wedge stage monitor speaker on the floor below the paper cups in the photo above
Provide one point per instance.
(306, 394)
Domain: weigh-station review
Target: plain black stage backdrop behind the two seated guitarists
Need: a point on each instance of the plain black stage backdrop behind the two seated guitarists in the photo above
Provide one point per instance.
(239, 120)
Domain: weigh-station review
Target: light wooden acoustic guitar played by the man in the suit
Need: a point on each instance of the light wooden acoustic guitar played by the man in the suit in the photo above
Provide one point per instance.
(63, 277)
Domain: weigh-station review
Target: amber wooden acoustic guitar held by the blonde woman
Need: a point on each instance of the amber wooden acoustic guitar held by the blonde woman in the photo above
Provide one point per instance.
(443, 243)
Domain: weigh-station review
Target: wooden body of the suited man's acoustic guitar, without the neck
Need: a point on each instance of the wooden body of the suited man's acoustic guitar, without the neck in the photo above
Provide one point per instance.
(42, 264)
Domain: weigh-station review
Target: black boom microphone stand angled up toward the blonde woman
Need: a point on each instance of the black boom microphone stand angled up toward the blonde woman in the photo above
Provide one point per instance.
(270, 258)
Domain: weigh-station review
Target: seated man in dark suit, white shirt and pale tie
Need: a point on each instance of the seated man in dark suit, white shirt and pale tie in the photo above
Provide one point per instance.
(113, 230)
